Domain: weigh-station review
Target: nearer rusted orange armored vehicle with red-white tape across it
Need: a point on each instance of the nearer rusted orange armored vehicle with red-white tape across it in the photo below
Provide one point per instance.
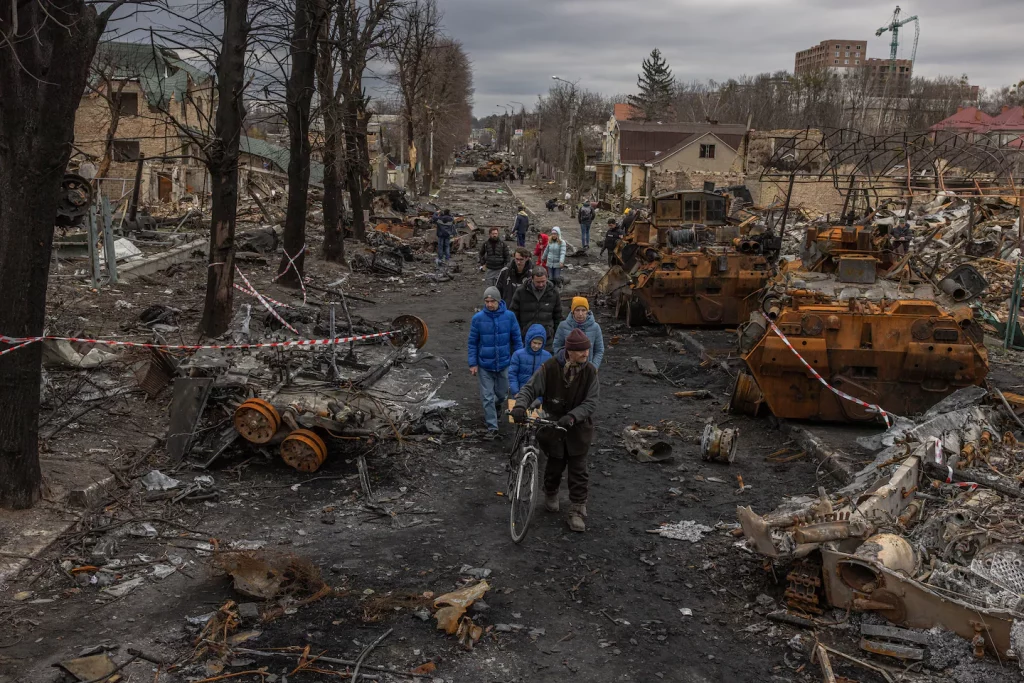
(856, 328)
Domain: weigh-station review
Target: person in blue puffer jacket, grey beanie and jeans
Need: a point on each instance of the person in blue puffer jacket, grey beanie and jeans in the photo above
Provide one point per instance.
(494, 337)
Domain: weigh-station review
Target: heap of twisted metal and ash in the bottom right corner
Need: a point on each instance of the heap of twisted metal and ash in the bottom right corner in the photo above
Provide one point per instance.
(928, 536)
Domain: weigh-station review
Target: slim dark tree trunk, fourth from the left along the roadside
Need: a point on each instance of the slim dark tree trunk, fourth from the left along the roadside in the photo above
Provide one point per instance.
(334, 237)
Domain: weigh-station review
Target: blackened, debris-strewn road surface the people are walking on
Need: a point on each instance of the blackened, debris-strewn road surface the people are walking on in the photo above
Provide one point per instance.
(617, 604)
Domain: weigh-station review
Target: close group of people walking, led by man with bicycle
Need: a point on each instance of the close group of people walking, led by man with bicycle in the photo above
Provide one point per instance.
(508, 355)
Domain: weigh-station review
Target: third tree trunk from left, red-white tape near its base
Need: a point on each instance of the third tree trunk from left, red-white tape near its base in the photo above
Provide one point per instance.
(300, 93)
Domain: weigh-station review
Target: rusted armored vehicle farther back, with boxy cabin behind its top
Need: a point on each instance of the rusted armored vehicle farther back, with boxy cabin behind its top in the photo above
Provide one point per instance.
(687, 266)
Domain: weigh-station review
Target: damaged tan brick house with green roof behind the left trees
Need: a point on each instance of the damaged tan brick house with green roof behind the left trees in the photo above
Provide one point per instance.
(145, 102)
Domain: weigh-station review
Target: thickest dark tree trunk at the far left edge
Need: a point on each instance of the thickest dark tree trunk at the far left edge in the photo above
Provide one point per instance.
(41, 91)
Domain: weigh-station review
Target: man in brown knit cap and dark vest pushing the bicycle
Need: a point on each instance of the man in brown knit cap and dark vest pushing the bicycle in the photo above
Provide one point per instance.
(569, 386)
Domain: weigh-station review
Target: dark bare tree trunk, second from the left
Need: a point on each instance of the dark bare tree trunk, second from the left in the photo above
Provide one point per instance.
(224, 166)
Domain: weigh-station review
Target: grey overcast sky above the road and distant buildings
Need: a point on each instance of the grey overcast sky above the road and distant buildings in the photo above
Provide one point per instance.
(518, 46)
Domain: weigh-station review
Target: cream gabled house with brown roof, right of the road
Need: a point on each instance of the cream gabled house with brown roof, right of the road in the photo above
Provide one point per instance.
(641, 158)
